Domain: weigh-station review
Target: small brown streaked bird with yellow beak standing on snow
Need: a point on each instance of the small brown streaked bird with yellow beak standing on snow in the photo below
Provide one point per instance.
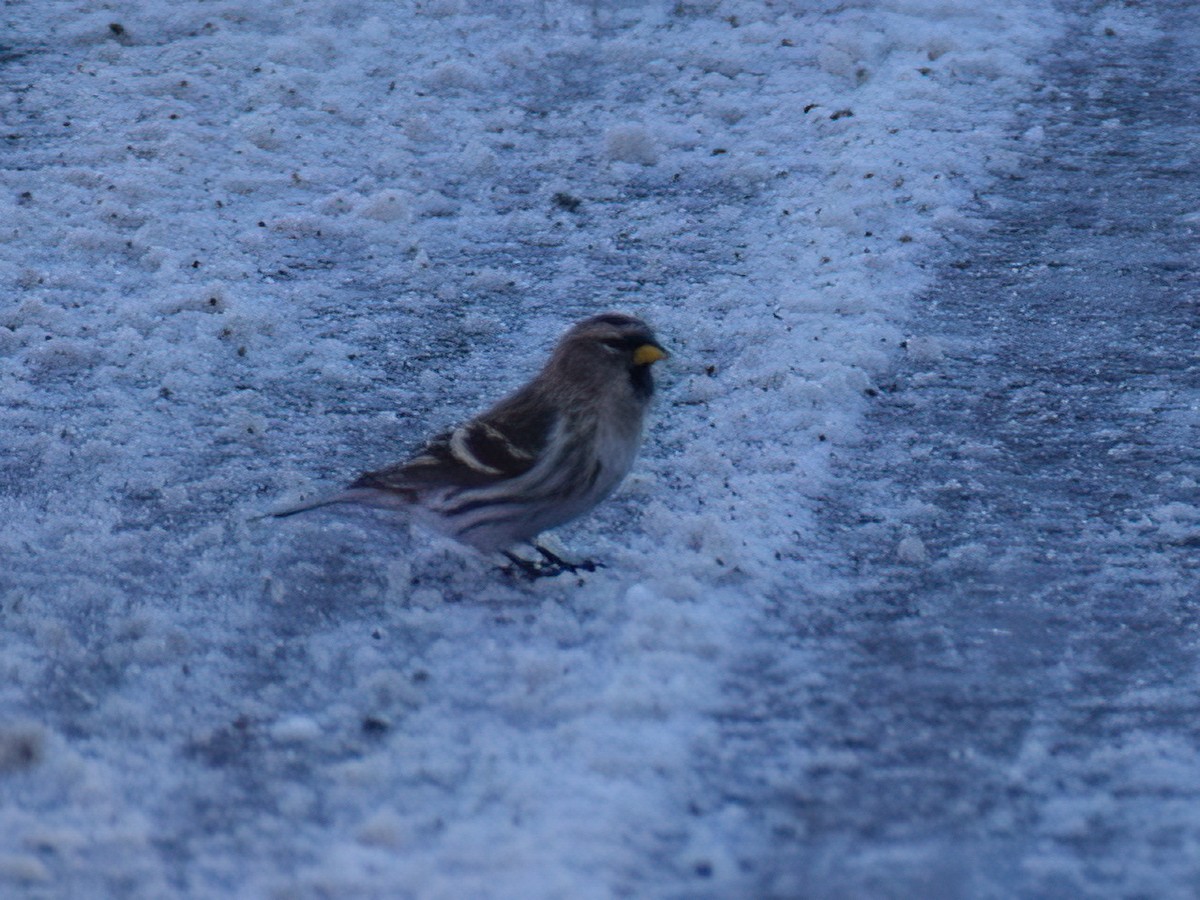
(541, 458)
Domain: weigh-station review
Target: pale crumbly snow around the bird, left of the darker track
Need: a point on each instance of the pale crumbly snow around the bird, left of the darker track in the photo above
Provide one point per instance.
(254, 250)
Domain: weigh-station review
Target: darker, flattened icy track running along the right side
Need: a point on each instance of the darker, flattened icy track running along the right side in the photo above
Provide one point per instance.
(1000, 699)
